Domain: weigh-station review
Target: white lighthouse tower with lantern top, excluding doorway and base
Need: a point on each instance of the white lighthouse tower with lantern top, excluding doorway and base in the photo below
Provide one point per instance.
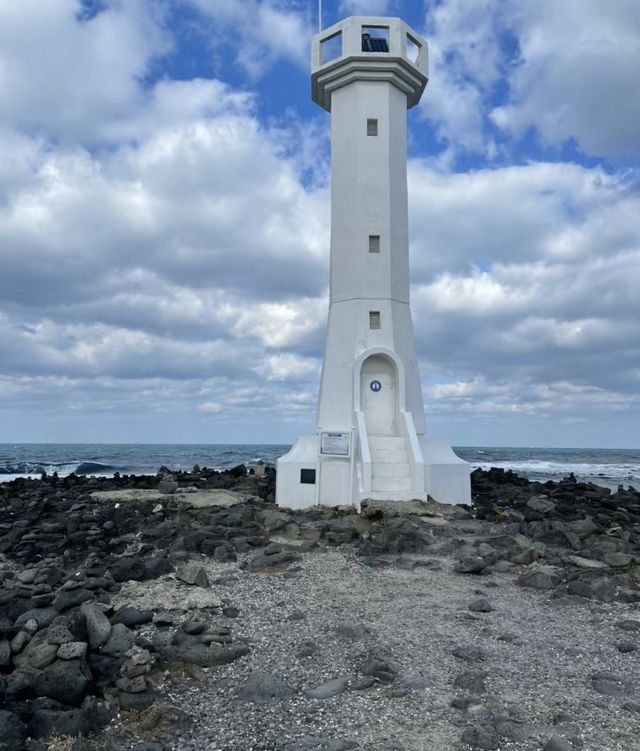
(368, 94)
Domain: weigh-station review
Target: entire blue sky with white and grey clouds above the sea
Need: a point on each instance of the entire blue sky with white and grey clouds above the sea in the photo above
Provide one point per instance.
(164, 220)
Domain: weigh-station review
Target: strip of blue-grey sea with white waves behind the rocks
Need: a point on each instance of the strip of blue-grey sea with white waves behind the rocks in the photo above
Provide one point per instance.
(607, 467)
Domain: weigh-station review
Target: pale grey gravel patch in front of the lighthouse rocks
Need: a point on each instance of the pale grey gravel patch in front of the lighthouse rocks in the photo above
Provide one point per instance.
(539, 656)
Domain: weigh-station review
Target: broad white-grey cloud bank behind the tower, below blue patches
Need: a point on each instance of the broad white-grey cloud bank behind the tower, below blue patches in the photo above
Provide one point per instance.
(195, 265)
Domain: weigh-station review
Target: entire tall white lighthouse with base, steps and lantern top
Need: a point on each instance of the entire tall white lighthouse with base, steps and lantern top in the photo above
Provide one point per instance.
(370, 441)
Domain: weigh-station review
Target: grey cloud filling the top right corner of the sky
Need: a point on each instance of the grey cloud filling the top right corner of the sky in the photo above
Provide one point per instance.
(576, 75)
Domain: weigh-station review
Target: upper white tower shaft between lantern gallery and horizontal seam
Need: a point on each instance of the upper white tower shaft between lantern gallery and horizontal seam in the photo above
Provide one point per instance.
(369, 194)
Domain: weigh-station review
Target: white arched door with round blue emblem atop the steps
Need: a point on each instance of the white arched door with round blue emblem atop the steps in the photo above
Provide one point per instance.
(378, 395)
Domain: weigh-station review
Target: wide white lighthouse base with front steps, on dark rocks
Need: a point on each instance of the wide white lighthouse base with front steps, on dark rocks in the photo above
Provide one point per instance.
(341, 471)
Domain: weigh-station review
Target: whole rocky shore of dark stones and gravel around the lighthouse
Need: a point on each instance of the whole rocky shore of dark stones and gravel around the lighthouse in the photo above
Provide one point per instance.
(127, 607)
